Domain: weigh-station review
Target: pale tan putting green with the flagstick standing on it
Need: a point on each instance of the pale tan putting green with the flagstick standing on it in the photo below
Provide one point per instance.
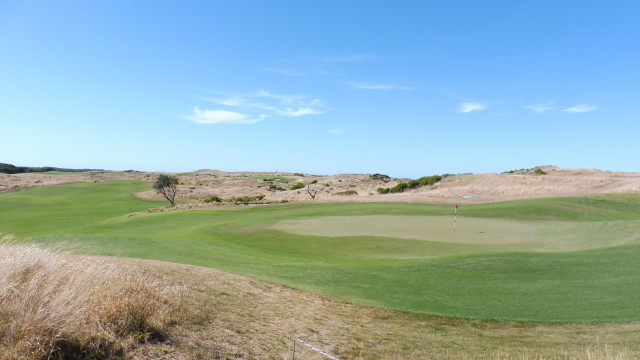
(531, 235)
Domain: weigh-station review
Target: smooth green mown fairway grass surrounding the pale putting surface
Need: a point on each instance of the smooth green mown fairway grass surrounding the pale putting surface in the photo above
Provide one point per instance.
(514, 281)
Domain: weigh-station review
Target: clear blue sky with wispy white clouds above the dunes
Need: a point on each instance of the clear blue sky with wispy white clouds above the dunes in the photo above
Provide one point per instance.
(404, 88)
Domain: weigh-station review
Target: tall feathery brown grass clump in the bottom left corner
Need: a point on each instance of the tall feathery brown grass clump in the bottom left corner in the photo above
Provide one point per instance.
(56, 306)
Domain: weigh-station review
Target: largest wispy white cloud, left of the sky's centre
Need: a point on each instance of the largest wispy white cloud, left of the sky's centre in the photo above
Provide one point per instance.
(250, 108)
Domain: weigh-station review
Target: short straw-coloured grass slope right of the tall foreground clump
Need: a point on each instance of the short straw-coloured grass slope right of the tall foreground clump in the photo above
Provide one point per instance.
(236, 317)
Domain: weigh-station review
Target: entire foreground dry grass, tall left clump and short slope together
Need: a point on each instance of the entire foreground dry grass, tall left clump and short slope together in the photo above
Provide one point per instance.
(55, 306)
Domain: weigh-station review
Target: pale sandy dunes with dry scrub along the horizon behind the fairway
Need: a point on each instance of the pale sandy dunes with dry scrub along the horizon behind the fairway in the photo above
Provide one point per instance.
(463, 188)
